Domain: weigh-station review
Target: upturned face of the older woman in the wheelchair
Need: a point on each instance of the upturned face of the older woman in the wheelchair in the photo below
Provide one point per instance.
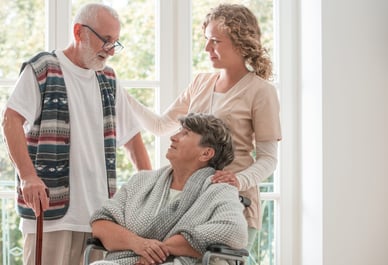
(185, 148)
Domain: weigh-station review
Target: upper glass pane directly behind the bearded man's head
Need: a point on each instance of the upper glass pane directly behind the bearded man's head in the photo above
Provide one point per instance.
(137, 60)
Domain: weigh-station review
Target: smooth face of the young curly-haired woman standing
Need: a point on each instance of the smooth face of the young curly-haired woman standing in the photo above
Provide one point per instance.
(219, 46)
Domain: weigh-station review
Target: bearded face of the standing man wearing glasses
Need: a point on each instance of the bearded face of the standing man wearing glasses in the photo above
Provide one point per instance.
(94, 55)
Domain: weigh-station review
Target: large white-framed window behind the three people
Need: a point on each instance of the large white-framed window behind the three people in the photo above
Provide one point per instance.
(163, 48)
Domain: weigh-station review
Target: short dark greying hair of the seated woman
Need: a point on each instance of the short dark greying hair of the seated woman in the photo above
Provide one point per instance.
(215, 134)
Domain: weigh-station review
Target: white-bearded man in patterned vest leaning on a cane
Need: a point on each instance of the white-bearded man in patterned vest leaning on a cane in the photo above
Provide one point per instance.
(62, 124)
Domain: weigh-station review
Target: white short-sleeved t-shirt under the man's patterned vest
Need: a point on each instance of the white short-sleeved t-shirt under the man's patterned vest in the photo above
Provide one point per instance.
(88, 182)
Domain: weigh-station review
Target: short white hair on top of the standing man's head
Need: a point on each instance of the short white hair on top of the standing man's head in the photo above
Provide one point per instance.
(88, 13)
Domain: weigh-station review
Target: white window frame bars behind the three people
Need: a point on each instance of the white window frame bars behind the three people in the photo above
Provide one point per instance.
(174, 60)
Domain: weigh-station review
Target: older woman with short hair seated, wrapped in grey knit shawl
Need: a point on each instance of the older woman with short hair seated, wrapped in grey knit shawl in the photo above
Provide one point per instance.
(173, 214)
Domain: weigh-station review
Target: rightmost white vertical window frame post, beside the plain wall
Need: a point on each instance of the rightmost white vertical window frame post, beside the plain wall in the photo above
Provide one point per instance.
(289, 156)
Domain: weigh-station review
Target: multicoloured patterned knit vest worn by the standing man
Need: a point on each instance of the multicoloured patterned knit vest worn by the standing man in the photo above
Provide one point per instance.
(48, 140)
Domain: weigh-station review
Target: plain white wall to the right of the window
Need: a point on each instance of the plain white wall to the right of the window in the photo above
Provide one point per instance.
(352, 188)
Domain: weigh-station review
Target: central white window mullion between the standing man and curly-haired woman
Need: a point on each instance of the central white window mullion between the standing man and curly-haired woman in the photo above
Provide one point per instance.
(174, 39)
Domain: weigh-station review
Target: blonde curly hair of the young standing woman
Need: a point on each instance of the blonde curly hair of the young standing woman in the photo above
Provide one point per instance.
(242, 27)
